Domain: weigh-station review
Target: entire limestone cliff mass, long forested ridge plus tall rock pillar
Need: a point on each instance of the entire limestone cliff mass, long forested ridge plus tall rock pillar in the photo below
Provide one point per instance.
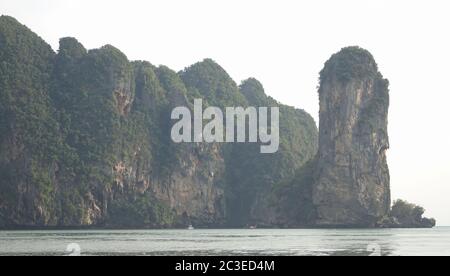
(85, 142)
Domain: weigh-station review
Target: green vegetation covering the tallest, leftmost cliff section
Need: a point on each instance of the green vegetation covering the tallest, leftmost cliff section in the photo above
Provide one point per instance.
(30, 135)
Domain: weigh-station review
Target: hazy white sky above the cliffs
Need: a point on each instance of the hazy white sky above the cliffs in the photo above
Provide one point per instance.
(284, 44)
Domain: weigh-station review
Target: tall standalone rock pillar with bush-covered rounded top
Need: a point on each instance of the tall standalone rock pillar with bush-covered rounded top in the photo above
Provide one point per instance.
(352, 186)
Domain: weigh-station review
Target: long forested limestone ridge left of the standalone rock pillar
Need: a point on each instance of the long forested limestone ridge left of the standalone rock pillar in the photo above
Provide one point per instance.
(85, 141)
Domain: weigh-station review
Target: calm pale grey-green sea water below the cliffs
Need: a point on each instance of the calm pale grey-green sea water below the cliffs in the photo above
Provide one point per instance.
(229, 242)
